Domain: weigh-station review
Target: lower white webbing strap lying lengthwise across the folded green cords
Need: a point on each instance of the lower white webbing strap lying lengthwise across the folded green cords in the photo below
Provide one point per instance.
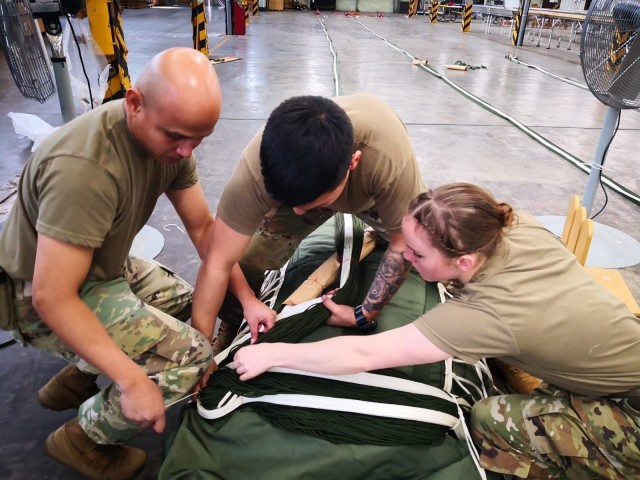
(387, 410)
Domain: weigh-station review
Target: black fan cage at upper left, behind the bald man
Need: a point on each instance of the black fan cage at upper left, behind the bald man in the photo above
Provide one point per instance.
(24, 49)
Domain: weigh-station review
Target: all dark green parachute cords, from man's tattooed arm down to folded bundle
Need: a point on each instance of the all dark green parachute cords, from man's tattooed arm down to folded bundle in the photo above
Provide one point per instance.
(334, 426)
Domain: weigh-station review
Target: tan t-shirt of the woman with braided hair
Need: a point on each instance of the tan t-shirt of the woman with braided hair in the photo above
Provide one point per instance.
(535, 307)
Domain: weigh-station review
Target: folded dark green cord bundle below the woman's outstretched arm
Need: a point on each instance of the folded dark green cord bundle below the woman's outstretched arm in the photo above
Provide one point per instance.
(334, 426)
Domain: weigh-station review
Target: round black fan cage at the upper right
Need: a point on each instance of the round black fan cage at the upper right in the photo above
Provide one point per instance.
(610, 52)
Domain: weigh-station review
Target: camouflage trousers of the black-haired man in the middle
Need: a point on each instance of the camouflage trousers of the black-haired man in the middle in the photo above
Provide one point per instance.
(278, 236)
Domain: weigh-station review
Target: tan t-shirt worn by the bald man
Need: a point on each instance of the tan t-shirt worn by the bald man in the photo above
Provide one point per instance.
(90, 183)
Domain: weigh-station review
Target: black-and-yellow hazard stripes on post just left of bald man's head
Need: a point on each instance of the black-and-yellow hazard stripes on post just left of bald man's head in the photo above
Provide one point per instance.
(119, 81)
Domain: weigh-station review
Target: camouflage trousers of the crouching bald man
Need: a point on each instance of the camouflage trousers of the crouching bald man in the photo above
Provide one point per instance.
(138, 311)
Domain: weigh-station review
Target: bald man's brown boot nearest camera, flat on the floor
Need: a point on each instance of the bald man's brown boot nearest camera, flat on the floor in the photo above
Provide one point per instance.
(71, 446)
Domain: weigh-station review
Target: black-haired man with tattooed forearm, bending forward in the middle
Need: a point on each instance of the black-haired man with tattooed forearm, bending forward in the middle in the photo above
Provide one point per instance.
(314, 157)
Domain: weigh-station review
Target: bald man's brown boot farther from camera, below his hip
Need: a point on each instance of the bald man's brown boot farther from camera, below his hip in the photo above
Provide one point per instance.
(69, 388)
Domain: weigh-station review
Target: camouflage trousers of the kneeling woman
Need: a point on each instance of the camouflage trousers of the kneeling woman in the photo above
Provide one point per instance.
(554, 434)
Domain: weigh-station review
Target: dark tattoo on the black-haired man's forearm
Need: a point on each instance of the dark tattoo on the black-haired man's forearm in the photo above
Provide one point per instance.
(391, 273)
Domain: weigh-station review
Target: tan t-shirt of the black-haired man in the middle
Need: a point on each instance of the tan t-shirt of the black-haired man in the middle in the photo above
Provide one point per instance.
(381, 187)
